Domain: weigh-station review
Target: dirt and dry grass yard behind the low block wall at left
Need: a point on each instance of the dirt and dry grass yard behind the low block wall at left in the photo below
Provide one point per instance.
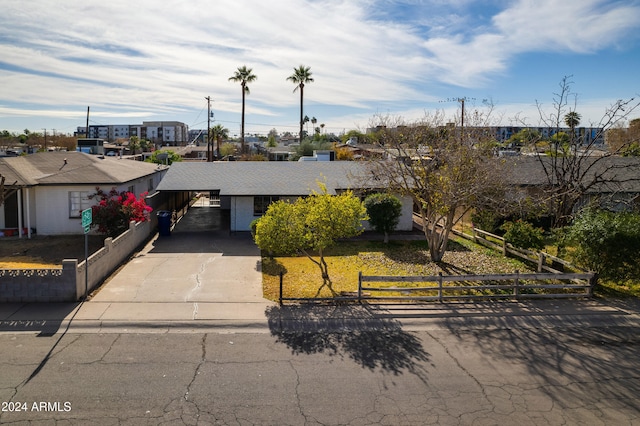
(40, 251)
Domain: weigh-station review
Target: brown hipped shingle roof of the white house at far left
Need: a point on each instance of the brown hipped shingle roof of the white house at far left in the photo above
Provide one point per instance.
(72, 168)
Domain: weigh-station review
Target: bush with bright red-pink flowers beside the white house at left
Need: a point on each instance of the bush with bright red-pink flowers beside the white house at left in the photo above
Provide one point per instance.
(116, 209)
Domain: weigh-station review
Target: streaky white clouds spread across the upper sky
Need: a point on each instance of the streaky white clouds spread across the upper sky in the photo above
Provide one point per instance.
(166, 57)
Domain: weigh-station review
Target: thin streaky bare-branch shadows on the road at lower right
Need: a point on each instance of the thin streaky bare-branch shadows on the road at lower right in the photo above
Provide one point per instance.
(589, 364)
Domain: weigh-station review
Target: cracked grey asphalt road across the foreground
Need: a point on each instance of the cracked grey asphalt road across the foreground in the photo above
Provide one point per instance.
(382, 375)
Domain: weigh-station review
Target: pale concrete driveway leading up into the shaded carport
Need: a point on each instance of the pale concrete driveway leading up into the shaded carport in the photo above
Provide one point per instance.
(201, 262)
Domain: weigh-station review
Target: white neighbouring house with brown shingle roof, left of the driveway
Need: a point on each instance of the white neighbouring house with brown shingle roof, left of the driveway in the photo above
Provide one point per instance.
(53, 188)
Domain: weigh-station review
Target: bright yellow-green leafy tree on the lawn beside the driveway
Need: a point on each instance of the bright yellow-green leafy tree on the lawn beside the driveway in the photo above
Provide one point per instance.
(310, 225)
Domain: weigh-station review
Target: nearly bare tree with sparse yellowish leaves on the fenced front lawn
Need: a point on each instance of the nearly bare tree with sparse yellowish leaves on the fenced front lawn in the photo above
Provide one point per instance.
(445, 176)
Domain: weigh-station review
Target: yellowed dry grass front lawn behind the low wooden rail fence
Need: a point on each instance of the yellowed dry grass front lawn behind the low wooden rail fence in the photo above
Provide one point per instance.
(302, 277)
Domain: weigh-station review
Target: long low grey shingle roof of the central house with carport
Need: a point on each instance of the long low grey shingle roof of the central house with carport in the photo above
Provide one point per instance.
(282, 178)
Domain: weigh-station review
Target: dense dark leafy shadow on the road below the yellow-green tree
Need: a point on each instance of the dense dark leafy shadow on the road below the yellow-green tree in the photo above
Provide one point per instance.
(357, 332)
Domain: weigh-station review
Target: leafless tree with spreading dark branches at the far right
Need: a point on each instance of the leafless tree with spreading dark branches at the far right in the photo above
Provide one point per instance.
(571, 166)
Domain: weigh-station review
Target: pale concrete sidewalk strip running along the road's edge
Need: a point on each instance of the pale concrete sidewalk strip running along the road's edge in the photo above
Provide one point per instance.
(123, 317)
